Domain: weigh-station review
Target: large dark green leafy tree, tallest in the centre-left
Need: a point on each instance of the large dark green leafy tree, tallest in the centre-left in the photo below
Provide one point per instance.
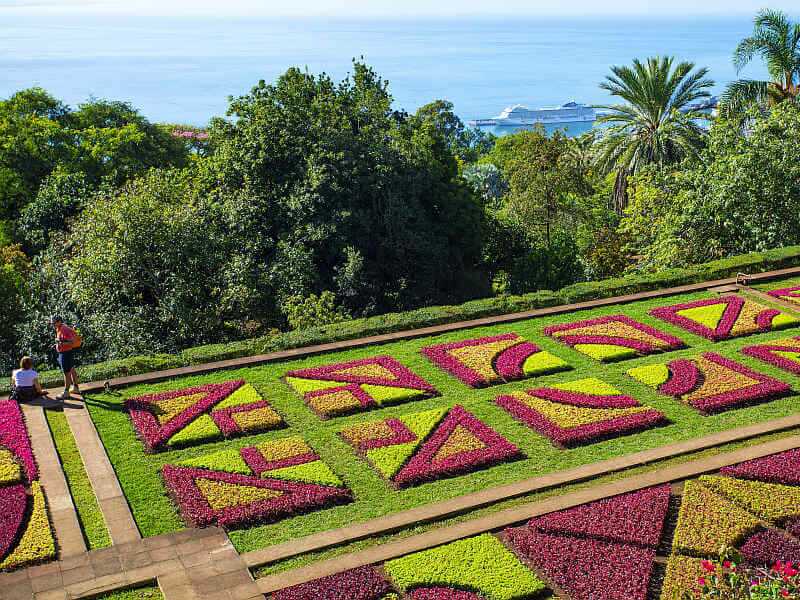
(328, 188)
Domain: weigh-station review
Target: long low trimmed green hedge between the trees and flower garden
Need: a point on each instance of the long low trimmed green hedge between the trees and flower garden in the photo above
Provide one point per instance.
(436, 315)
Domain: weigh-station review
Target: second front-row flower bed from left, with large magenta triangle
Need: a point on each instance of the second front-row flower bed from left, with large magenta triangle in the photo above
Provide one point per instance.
(429, 445)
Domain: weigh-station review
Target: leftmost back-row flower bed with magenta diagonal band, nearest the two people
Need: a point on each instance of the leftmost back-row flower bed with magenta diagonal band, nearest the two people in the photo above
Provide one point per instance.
(200, 414)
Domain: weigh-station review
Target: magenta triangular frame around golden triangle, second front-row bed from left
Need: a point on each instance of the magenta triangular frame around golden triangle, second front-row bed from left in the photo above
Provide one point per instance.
(424, 467)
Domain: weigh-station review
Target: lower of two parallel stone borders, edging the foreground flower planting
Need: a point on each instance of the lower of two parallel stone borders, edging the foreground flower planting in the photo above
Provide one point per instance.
(518, 514)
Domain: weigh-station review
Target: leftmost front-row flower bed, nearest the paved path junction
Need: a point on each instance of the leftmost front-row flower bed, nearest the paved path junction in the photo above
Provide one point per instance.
(257, 484)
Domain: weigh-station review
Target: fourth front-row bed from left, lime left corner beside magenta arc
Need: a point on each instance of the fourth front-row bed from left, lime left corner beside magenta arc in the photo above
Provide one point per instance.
(710, 382)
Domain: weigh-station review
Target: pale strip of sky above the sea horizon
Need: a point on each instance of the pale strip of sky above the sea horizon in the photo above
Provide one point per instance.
(404, 8)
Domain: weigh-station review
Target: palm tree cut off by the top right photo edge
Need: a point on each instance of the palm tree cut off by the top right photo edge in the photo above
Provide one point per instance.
(777, 41)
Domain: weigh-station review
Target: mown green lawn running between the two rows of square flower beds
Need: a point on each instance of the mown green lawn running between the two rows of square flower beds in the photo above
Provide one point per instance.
(155, 513)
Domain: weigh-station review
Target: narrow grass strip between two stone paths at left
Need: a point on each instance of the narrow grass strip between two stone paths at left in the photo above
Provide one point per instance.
(89, 515)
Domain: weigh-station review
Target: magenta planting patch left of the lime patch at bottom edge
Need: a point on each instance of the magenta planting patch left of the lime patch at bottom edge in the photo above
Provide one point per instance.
(363, 583)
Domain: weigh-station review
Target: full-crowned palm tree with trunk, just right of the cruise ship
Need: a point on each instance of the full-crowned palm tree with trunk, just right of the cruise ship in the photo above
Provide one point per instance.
(657, 124)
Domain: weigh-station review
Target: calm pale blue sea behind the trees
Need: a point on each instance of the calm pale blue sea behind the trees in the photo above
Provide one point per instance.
(183, 70)
